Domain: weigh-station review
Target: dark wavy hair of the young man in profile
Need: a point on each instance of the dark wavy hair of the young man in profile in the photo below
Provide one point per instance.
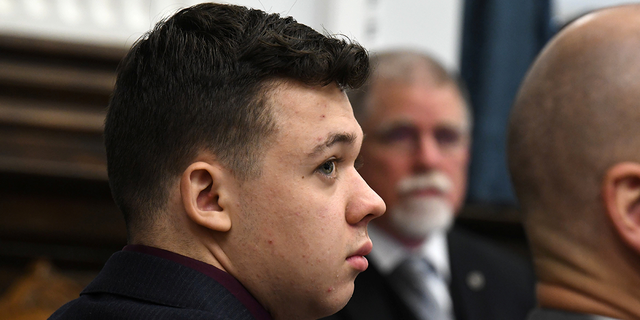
(198, 81)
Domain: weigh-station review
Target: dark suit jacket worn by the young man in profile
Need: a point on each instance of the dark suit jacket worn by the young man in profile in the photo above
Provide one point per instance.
(134, 285)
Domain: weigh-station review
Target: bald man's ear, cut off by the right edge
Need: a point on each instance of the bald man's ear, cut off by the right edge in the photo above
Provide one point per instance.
(621, 192)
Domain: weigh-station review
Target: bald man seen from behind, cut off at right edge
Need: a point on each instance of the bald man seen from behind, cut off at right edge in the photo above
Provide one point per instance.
(574, 155)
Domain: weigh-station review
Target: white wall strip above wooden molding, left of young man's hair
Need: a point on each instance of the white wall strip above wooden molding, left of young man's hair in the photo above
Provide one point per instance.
(107, 22)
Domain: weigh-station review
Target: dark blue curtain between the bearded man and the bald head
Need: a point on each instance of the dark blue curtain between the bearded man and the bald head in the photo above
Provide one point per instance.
(500, 40)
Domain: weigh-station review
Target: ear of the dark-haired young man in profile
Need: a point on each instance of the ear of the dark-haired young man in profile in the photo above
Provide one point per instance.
(204, 197)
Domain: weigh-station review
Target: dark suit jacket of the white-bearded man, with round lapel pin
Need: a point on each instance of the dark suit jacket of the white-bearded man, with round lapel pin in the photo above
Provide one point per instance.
(486, 284)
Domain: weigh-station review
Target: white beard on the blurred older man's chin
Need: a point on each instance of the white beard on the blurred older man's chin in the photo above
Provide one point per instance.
(419, 217)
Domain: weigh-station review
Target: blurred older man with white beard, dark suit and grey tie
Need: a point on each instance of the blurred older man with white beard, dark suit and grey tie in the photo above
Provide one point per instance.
(416, 153)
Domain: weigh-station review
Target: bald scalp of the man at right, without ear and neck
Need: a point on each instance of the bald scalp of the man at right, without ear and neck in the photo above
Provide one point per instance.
(577, 112)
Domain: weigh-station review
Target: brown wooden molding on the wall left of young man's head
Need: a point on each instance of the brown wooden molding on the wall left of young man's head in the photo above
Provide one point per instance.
(53, 97)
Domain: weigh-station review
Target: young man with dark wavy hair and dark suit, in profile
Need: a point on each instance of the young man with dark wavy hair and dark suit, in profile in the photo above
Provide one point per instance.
(231, 152)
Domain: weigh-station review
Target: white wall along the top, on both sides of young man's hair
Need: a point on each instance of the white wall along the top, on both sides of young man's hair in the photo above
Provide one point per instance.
(431, 25)
